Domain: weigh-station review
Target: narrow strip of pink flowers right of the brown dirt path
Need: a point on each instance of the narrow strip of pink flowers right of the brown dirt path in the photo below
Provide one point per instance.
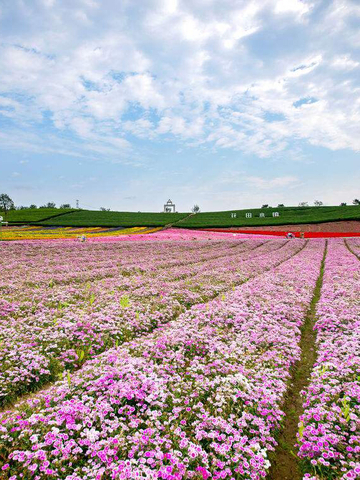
(329, 430)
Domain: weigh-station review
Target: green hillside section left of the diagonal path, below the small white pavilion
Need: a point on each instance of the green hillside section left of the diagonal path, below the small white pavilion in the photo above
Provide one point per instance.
(84, 218)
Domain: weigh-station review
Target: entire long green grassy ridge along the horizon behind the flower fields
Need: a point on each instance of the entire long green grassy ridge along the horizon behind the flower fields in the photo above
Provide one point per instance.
(92, 218)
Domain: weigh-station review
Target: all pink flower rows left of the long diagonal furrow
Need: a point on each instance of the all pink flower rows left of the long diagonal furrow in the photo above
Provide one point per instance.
(59, 320)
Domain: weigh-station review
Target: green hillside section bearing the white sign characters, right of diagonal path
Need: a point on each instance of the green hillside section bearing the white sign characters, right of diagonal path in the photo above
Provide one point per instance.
(287, 215)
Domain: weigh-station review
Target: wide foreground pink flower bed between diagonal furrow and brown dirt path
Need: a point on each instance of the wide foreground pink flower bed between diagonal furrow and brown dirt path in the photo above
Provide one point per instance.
(199, 397)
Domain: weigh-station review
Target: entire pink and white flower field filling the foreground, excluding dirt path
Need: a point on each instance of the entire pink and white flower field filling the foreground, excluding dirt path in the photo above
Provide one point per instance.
(170, 355)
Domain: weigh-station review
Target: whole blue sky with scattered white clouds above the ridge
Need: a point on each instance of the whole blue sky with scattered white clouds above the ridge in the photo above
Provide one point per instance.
(227, 104)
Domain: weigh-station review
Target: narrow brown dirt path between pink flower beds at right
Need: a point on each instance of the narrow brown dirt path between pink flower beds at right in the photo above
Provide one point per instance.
(284, 461)
